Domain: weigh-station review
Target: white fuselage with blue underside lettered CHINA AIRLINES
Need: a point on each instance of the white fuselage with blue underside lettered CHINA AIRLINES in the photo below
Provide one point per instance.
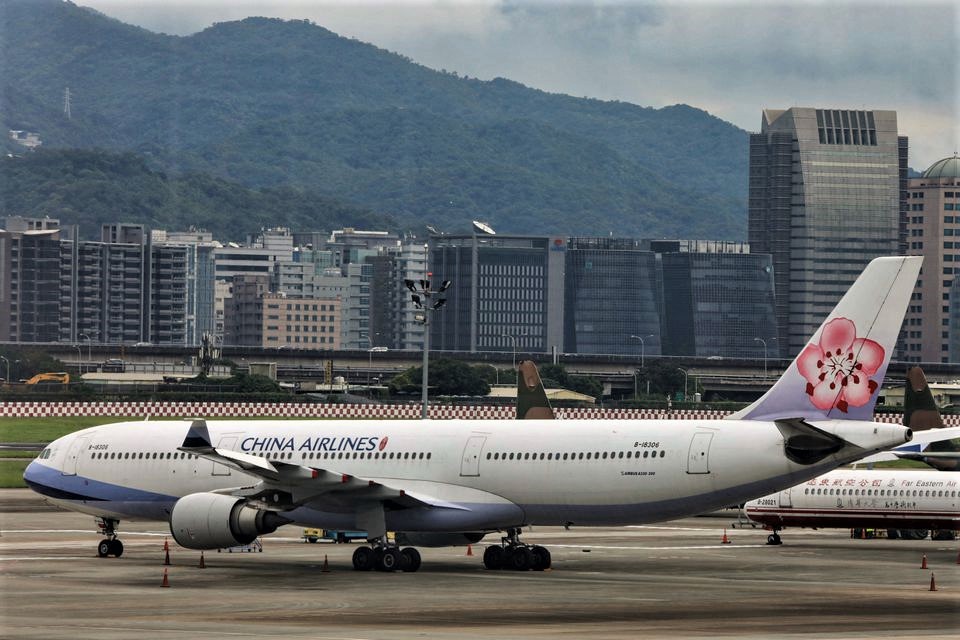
(494, 474)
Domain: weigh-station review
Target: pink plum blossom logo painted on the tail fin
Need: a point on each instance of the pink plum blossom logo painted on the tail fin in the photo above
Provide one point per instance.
(838, 369)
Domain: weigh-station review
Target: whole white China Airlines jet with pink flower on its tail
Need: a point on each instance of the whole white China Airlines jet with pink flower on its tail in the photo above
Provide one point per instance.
(223, 483)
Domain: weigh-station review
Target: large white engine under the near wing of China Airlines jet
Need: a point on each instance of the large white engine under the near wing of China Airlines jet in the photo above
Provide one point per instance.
(215, 521)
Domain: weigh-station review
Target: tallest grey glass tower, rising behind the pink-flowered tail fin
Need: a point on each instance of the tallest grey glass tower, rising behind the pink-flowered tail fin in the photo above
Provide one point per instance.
(827, 195)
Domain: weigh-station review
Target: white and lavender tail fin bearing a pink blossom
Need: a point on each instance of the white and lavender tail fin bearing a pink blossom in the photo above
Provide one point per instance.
(837, 375)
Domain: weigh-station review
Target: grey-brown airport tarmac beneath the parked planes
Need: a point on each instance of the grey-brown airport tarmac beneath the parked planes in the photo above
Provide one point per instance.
(675, 579)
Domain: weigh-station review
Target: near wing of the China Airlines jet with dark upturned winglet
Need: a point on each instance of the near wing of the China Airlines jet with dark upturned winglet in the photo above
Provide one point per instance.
(284, 486)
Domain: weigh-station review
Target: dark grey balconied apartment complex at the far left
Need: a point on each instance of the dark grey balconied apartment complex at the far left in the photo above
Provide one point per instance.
(120, 290)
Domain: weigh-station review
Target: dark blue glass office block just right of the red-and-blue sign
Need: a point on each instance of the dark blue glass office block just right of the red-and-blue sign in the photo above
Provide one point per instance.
(611, 297)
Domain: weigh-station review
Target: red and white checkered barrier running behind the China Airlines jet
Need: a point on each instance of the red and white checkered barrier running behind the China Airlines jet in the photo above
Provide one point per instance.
(386, 411)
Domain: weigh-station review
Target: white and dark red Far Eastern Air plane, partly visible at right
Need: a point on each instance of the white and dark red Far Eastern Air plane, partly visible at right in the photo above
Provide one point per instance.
(891, 499)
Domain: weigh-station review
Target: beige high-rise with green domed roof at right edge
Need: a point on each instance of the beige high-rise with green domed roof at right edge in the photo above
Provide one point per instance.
(933, 229)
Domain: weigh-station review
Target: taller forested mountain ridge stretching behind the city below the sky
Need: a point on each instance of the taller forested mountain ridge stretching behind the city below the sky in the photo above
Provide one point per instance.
(268, 104)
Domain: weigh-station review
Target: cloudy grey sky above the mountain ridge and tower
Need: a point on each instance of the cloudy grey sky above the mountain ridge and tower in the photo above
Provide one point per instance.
(730, 58)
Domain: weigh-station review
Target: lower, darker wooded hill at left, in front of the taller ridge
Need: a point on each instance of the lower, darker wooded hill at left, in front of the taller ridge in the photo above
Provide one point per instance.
(90, 188)
